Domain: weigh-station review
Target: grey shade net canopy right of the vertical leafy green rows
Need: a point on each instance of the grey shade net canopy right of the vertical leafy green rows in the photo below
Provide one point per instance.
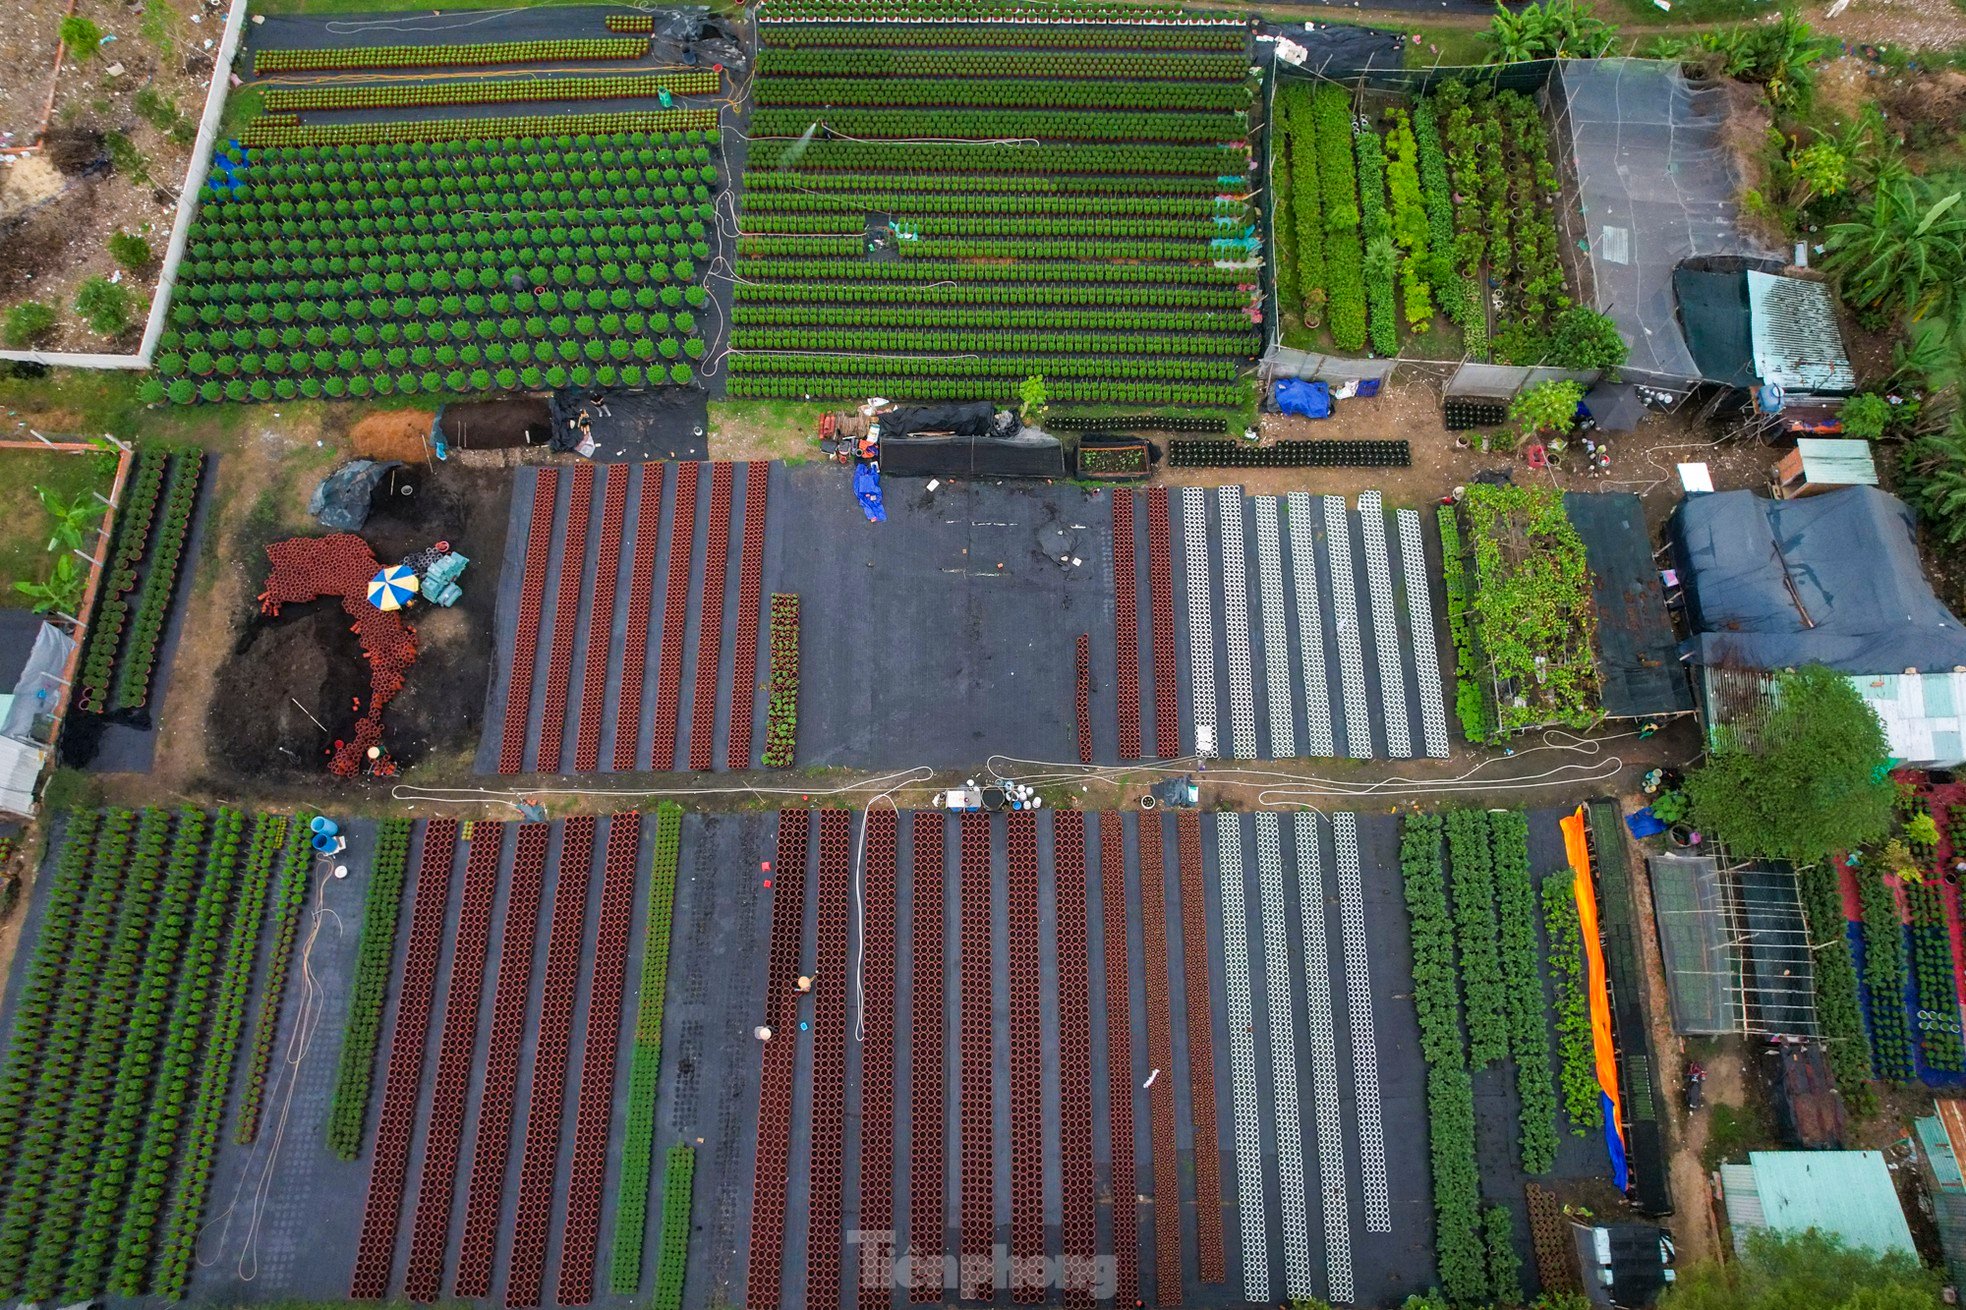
(1648, 184)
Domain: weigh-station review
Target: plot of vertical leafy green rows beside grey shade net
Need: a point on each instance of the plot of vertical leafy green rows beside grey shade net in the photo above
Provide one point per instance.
(1436, 215)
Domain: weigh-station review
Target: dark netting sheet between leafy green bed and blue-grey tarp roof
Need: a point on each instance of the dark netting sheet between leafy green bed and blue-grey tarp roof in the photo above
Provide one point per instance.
(1639, 654)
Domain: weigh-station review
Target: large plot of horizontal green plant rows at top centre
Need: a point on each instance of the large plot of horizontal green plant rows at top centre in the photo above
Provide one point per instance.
(1076, 215)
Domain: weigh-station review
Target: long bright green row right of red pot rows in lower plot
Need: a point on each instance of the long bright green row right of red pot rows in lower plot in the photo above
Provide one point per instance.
(646, 1061)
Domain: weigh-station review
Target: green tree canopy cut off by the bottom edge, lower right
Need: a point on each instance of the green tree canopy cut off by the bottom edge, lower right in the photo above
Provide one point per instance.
(1806, 1272)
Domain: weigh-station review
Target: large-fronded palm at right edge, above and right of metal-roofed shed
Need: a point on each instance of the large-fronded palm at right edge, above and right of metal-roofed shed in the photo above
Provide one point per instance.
(1906, 253)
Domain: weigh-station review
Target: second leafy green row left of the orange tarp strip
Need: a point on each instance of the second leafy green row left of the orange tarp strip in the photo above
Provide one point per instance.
(1529, 1028)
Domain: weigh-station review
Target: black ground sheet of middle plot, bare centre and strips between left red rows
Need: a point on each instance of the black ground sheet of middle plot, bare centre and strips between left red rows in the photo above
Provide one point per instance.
(941, 636)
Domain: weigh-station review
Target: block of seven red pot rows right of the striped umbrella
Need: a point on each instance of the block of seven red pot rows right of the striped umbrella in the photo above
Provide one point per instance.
(593, 644)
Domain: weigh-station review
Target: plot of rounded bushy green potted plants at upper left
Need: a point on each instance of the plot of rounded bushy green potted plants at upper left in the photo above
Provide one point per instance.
(534, 253)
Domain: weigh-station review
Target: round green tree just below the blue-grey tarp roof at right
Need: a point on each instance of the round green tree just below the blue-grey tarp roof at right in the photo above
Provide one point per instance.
(1804, 782)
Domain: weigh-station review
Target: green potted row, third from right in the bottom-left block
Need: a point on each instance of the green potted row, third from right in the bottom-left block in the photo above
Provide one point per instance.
(184, 1057)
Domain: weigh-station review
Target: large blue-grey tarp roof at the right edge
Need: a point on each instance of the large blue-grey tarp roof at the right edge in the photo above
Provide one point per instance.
(1829, 579)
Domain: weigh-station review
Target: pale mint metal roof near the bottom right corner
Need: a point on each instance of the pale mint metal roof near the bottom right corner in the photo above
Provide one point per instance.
(1843, 1193)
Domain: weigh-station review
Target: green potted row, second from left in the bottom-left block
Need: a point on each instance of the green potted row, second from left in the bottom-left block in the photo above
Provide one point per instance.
(72, 1022)
